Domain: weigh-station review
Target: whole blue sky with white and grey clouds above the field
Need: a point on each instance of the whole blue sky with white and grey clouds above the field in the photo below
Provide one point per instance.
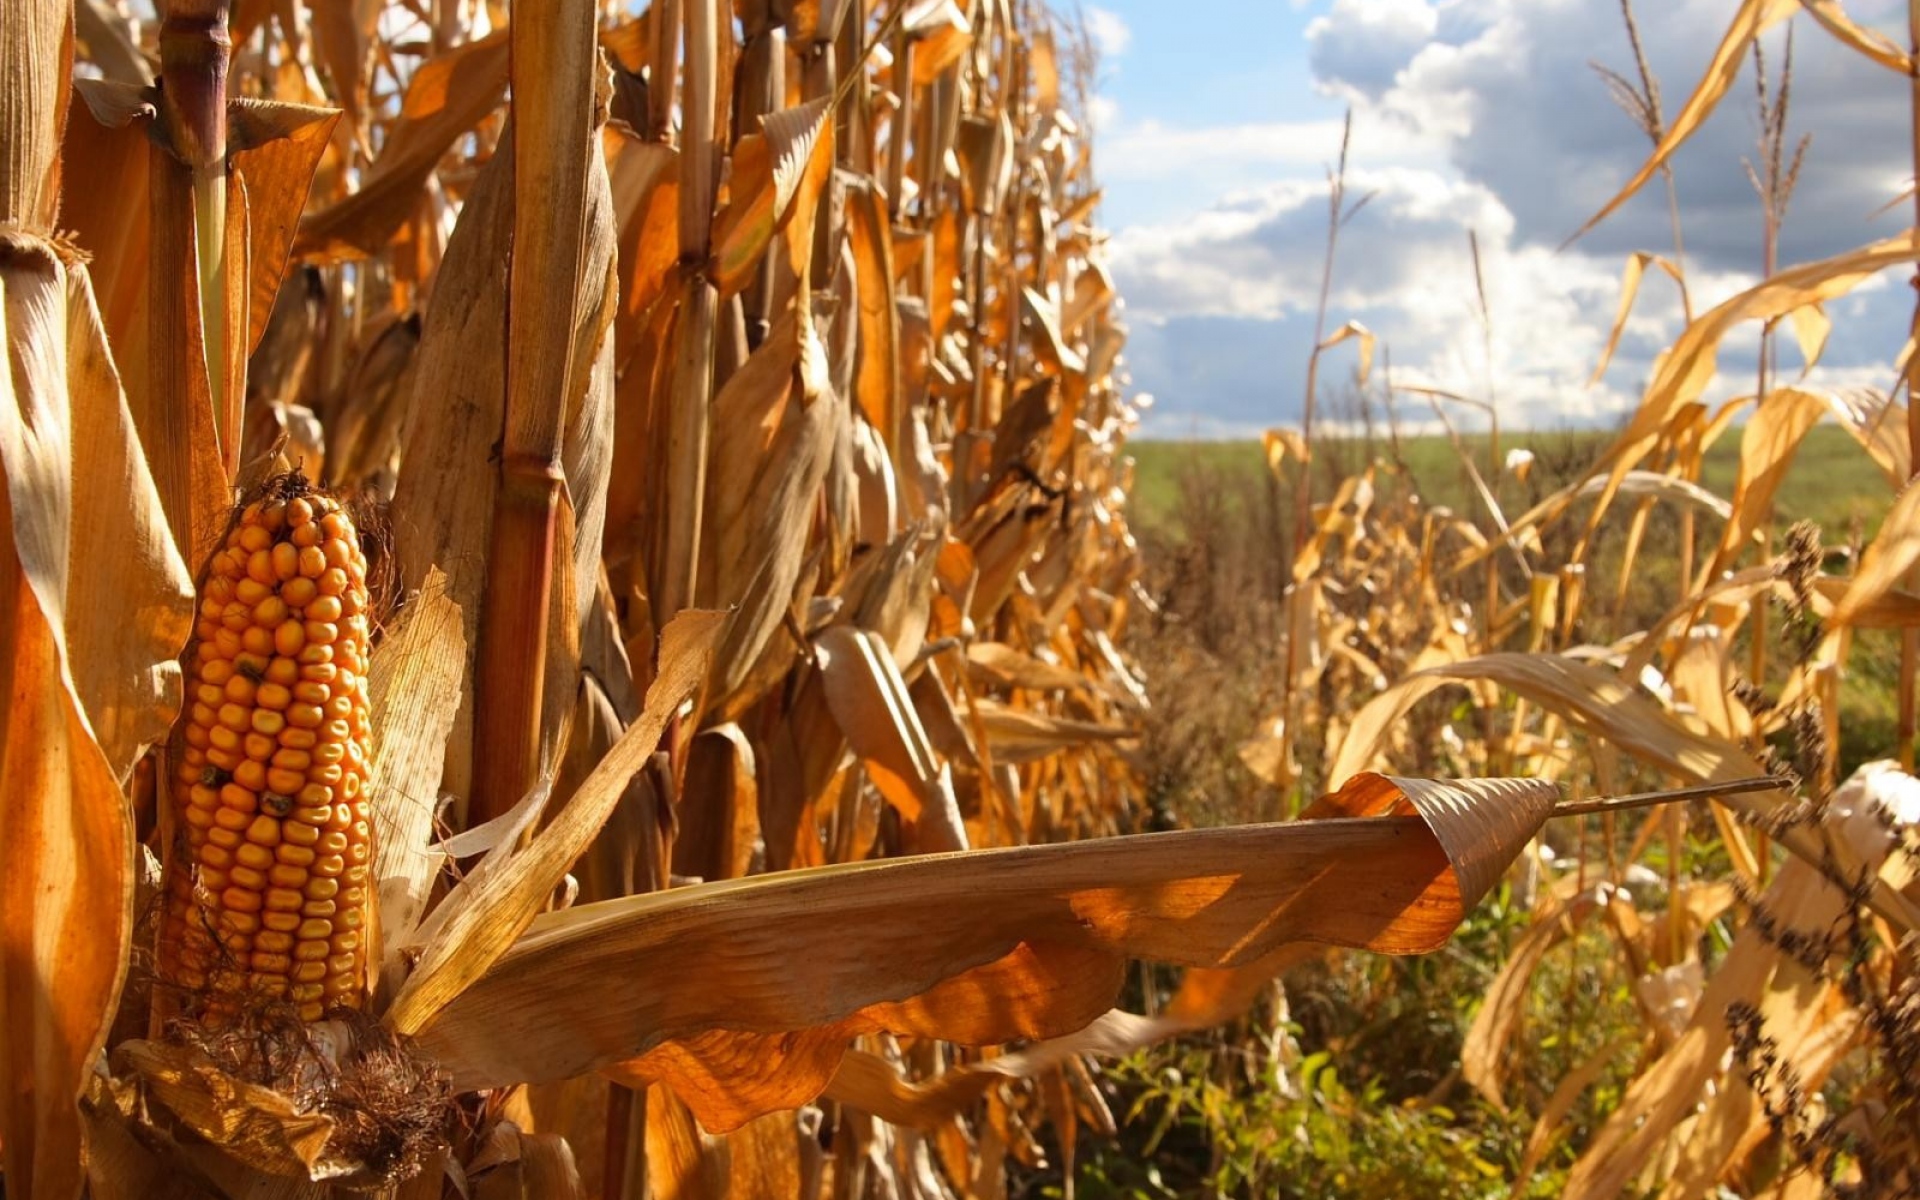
(1218, 118)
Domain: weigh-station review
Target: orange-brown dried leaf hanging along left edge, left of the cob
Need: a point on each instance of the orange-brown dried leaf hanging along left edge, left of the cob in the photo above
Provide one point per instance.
(66, 903)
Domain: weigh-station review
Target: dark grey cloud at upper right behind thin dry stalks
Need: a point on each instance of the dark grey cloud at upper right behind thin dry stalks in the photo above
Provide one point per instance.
(1522, 110)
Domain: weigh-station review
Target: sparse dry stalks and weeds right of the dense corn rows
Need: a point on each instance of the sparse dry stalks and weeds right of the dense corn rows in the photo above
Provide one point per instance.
(1712, 1001)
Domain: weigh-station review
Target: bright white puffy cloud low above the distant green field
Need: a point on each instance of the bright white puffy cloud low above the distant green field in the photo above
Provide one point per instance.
(1224, 304)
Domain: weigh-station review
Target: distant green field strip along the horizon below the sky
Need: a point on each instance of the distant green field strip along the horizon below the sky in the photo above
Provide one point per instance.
(1831, 483)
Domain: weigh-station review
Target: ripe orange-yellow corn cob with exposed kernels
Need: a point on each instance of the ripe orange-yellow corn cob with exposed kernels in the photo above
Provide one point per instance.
(274, 890)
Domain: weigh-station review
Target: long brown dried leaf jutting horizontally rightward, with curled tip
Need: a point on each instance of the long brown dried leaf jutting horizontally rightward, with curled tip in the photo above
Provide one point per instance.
(850, 948)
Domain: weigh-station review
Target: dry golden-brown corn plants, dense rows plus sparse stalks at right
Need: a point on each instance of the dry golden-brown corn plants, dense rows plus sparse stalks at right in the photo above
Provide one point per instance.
(567, 627)
